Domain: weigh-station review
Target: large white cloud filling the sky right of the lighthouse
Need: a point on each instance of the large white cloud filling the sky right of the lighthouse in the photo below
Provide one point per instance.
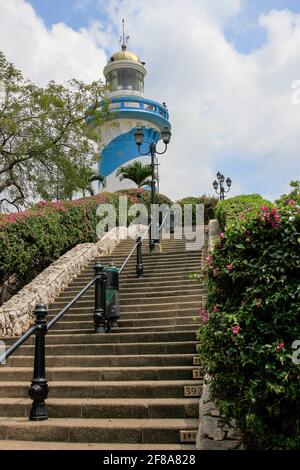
(221, 102)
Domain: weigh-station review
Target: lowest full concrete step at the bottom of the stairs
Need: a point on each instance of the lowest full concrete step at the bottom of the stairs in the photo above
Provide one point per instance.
(164, 431)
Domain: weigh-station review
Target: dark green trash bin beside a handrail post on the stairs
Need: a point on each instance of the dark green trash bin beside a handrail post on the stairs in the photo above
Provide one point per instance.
(112, 296)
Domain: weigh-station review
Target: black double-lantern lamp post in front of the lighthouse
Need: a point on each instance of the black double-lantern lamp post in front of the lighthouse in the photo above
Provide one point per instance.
(152, 151)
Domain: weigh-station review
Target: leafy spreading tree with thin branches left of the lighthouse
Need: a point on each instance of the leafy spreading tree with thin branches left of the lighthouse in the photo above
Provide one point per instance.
(48, 136)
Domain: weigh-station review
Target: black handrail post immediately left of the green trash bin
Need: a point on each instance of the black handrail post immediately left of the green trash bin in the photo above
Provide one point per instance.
(100, 298)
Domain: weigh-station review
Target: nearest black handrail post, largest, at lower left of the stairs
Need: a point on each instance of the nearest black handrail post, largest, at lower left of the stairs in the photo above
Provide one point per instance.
(39, 385)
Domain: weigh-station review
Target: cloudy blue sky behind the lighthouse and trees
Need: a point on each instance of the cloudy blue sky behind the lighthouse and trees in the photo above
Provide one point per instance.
(225, 68)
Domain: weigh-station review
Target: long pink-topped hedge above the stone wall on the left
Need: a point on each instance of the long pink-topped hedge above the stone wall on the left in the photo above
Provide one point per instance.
(30, 241)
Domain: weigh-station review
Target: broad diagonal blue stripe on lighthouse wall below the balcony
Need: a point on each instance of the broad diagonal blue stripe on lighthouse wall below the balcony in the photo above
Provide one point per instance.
(123, 148)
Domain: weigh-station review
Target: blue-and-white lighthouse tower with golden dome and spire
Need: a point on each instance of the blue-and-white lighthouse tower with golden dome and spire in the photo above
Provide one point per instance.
(124, 74)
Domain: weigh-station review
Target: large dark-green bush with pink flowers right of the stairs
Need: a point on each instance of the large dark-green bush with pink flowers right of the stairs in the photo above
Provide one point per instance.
(250, 322)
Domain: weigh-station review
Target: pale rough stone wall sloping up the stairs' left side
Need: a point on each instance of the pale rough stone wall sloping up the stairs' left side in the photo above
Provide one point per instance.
(16, 314)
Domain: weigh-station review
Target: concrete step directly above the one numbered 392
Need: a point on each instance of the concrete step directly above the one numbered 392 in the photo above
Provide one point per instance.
(97, 374)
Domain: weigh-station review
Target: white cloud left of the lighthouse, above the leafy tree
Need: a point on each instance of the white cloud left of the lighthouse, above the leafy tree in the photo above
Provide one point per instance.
(43, 54)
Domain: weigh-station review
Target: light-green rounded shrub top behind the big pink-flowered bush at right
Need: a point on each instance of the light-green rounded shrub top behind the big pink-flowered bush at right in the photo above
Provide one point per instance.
(230, 210)
